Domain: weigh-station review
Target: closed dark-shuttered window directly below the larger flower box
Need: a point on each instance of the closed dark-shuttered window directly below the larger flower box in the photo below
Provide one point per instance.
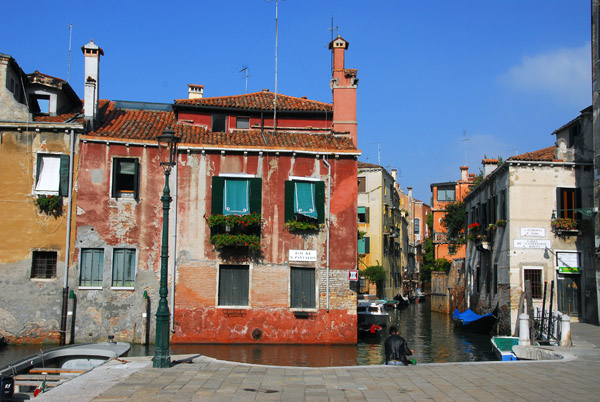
(233, 285)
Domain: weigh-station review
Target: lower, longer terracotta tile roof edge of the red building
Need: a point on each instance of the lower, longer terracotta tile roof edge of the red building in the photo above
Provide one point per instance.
(147, 125)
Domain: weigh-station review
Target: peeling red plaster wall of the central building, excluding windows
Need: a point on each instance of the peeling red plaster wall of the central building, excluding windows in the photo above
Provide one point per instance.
(107, 223)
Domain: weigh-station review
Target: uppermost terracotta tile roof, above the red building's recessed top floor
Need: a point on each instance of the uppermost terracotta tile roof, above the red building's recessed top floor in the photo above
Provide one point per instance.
(259, 101)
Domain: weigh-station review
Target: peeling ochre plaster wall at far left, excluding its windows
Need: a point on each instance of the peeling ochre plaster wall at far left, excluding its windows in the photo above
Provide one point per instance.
(30, 309)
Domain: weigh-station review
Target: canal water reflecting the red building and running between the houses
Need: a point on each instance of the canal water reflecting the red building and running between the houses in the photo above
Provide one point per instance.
(431, 335)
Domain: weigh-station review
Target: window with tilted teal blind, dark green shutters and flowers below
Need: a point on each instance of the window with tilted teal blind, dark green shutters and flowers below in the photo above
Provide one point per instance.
(304, 205)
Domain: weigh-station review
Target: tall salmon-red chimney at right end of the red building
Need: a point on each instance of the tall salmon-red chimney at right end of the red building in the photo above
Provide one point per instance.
(343, 85)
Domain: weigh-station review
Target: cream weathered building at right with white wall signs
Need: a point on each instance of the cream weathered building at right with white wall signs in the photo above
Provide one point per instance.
(530, 219)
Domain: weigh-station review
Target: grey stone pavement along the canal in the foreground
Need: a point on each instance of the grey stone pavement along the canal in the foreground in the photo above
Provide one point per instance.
(198, 378)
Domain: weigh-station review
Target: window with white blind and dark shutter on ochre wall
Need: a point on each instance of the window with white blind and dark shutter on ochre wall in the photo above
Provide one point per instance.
(52, 174)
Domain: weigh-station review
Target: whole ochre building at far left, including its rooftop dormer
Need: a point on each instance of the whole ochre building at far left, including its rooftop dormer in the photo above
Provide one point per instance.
(40, 119)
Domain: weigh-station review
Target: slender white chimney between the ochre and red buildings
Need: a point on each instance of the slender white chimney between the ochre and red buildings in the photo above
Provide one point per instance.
(92, 54)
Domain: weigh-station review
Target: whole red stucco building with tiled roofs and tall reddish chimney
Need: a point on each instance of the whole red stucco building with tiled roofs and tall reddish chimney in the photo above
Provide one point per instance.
(263, 219)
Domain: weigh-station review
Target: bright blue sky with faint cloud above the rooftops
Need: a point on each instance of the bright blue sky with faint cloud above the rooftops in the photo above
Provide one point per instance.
(442, 83)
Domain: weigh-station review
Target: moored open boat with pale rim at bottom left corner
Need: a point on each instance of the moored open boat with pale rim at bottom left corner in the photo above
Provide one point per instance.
(52, 367)
